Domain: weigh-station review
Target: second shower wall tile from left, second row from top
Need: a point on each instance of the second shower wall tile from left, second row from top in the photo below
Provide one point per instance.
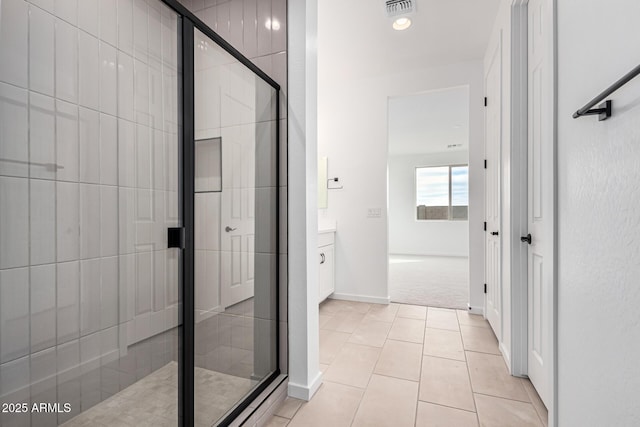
(42, 123)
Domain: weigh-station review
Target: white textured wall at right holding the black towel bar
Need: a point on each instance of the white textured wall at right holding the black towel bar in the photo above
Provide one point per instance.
(598, 221)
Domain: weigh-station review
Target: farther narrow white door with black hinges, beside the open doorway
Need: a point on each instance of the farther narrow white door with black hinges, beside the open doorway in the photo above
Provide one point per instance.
(493, 138)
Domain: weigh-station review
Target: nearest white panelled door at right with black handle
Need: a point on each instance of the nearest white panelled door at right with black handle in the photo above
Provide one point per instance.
(540, 196)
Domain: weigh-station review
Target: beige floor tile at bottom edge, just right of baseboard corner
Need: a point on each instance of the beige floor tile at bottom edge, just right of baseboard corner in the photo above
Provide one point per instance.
(333, 405)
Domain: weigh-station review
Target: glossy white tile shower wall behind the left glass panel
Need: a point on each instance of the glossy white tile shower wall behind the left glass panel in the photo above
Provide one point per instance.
(88, 186)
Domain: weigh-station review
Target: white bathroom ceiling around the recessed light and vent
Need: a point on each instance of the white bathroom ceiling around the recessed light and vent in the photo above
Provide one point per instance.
(356, 37)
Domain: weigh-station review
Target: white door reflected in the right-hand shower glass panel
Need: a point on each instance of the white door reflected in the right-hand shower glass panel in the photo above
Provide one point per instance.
(237, 214)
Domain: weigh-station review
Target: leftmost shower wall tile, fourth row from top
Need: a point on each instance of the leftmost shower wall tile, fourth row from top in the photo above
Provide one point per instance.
(14, 314)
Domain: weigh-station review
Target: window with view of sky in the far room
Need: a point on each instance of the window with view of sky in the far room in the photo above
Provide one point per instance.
(442, 193)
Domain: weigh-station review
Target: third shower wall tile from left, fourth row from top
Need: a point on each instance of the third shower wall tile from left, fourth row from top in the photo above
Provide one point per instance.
(68, 301)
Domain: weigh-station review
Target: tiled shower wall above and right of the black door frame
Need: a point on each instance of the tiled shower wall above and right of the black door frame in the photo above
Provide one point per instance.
(258, 29)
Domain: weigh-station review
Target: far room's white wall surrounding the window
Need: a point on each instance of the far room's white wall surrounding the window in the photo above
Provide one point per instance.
(406, 234)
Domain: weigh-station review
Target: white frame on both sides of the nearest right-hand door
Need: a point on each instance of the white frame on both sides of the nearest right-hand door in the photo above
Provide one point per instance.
(519, 199)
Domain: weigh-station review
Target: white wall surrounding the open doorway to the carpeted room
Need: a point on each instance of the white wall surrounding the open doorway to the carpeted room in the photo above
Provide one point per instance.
(352, 133)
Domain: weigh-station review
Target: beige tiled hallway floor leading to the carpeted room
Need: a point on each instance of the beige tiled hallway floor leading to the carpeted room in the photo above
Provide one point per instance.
(405, 365)
